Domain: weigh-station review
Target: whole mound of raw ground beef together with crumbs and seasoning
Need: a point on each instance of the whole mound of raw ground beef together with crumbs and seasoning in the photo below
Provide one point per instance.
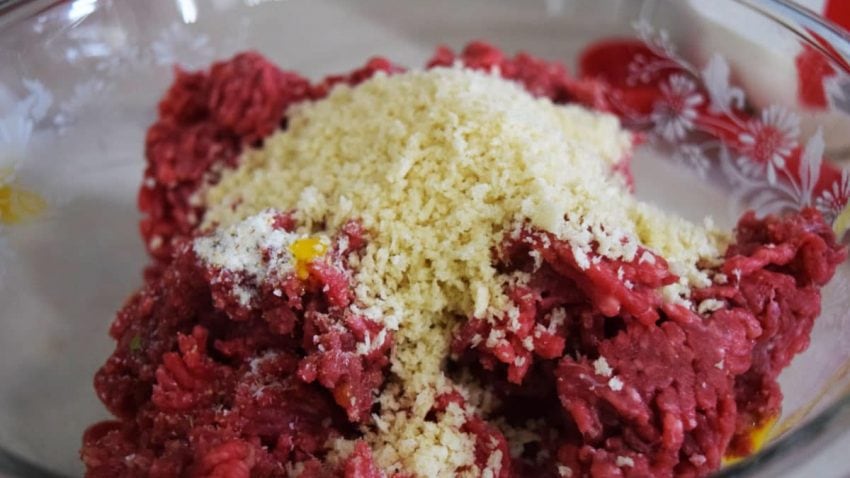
(436, 272)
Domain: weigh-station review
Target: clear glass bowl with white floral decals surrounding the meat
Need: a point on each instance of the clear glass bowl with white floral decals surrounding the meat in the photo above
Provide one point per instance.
(79, 82)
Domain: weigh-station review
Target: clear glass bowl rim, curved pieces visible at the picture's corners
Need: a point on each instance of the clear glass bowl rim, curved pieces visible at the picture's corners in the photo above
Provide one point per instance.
(799, 21)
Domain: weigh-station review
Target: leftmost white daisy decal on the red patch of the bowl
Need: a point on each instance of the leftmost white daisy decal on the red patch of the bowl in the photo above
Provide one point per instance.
(674, 116)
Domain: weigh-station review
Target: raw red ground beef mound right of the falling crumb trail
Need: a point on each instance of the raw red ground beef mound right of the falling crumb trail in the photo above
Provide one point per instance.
(647, 388)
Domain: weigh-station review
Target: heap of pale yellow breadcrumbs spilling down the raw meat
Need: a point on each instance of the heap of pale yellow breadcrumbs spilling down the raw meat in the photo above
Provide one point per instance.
(439, 165)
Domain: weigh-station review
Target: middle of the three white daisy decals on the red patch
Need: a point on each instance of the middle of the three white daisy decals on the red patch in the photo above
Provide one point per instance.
(770, 139)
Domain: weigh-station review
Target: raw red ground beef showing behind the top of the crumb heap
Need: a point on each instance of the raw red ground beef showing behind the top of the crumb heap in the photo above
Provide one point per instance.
(207, 118)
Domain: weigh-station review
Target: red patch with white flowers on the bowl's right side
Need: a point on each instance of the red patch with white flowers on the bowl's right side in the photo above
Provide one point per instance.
(649, 87)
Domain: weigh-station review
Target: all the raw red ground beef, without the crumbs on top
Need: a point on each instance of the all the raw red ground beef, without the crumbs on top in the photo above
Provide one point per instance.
(607, 379)
